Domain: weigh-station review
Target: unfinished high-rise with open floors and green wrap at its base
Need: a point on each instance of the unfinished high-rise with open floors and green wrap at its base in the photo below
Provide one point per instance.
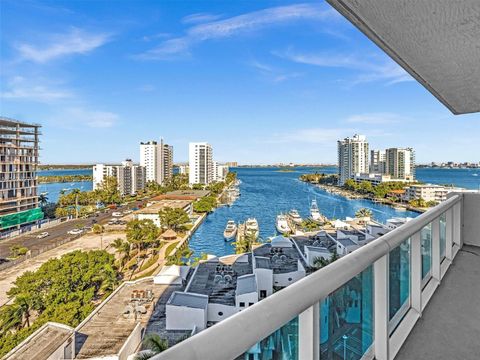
(19, 158)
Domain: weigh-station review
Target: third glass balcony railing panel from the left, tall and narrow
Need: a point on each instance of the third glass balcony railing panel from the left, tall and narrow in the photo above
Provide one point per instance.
(399, 282)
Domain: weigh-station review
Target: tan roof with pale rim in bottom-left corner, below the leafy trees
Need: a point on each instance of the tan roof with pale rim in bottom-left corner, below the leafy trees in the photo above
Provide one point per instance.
(42, 343)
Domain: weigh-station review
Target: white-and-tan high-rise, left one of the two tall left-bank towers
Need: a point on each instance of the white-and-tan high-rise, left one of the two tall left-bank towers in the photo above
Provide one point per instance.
(157, 158)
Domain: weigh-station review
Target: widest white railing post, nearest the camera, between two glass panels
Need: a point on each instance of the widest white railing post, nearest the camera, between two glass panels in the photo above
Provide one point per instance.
(309, 334)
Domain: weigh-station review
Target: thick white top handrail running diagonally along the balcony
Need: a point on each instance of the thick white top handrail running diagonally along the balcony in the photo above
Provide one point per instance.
(236, 334)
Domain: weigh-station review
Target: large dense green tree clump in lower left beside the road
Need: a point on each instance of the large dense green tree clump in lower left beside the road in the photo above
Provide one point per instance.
(62, 290)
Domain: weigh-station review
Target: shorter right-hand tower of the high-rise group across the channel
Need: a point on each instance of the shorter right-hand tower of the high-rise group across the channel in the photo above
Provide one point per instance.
(400, 163)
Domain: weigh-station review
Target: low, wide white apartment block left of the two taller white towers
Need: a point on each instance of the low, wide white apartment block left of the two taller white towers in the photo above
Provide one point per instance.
(130, 177)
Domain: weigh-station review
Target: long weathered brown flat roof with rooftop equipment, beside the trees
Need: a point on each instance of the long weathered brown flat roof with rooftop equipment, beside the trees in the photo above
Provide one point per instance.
(105, 331)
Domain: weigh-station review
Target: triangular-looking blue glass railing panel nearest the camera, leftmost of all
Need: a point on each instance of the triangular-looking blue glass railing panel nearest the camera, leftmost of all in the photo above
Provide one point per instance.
(281, 345)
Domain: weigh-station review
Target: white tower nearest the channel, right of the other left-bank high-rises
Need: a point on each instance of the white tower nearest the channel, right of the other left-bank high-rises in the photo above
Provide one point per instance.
(201, 170)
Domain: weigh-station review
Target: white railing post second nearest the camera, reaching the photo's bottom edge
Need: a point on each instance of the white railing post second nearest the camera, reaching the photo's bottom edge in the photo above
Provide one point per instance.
(381, 332)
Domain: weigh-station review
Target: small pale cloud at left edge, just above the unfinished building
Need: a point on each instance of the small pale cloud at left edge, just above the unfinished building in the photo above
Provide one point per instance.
(19, 88)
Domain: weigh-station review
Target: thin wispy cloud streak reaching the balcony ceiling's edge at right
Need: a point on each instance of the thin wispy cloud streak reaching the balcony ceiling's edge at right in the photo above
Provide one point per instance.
(370, 68)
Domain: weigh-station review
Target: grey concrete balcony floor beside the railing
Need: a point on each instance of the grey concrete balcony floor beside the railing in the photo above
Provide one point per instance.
(450, 325)
